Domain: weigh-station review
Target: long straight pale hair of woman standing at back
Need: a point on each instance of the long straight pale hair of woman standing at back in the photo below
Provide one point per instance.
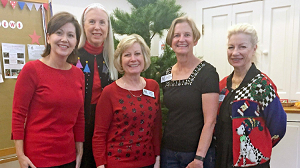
(108, 47)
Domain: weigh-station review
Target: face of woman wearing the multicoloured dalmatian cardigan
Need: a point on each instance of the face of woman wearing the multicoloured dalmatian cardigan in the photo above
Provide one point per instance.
(240, 50)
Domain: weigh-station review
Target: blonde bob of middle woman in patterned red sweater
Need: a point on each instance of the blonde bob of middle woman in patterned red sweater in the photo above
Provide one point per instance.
(127, 42)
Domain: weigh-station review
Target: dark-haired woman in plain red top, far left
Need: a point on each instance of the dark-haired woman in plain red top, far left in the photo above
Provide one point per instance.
(48, 118)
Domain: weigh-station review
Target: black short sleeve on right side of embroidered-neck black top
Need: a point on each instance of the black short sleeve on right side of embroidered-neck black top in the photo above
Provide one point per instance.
(210, 81)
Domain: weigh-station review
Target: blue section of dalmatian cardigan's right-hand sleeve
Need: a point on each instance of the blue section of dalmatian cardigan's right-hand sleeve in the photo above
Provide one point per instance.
(275, 118)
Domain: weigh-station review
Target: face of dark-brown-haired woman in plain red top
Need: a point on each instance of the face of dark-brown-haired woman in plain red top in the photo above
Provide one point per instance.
(63, 40)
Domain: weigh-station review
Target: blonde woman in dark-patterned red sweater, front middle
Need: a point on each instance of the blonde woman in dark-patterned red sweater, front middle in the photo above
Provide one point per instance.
(128, 116)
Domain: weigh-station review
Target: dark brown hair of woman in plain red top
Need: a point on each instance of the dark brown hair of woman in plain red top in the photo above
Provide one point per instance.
(56, 22)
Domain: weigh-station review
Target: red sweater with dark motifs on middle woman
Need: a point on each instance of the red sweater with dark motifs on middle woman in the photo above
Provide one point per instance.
(127, 128)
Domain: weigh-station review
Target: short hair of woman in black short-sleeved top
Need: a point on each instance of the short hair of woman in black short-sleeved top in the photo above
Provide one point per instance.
(196, 32)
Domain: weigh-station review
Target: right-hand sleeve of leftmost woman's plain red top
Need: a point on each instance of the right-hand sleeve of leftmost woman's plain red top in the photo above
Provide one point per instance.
(79, 126)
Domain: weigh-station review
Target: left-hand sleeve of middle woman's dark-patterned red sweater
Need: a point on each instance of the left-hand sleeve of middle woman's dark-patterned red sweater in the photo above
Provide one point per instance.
(103, 118)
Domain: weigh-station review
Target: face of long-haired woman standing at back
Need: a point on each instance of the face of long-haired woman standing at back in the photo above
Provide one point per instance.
(96, 26)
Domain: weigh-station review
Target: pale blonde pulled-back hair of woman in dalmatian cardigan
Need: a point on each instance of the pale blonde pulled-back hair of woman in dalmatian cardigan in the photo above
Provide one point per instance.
(248, 29)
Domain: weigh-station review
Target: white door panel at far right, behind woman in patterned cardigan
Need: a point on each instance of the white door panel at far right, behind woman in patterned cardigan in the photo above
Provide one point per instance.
(278, 43)
